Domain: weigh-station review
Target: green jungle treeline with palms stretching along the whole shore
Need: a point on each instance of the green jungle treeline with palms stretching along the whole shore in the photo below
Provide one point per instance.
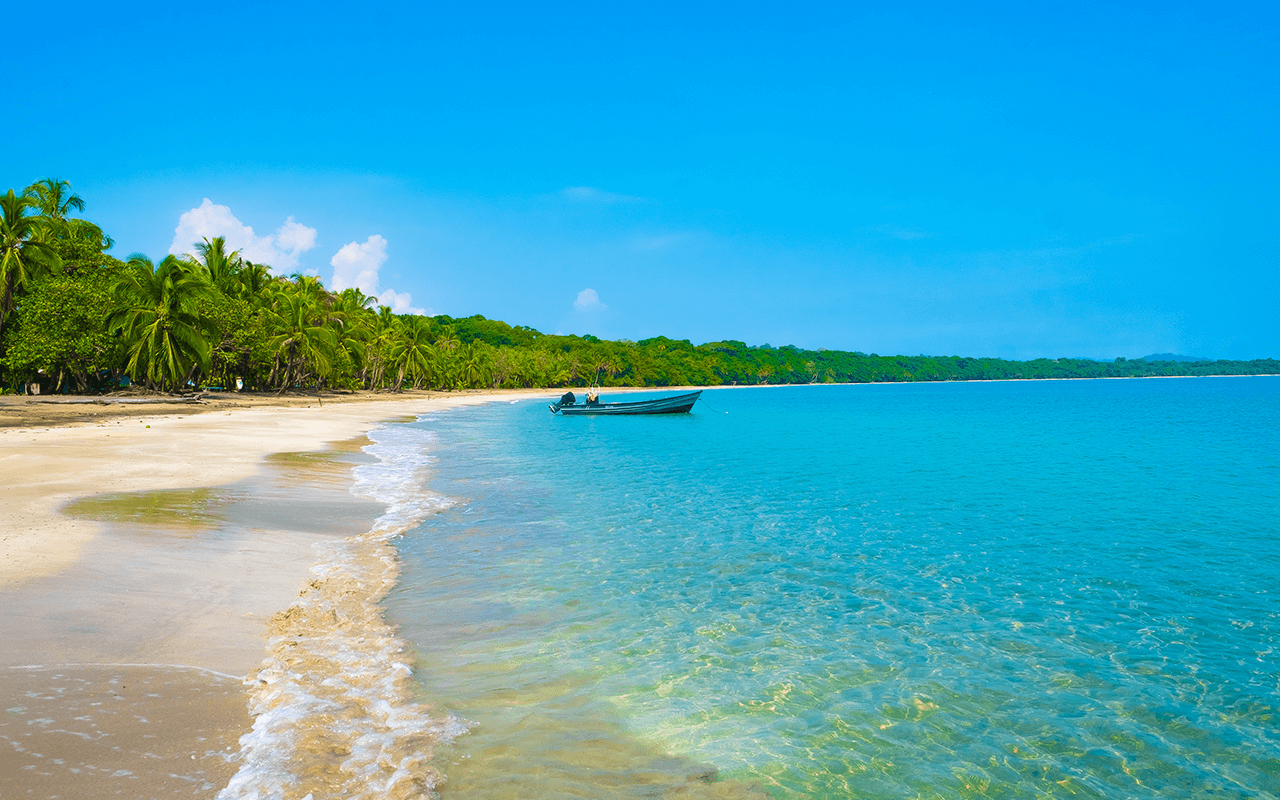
(75, 318)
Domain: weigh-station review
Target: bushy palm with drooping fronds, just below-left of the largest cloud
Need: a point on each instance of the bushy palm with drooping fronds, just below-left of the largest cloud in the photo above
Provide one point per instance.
(157, 312)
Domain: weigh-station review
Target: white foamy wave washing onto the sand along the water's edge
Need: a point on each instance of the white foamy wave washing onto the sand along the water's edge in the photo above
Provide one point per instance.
(335, 703)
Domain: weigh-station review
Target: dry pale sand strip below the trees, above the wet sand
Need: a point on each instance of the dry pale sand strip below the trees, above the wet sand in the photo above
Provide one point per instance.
(44, 468)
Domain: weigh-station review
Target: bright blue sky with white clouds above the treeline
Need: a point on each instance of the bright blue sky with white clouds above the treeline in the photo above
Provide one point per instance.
(1031, 180)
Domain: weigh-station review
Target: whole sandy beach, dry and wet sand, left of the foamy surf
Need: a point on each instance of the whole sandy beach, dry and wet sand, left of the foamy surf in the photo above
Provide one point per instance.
(132, 621)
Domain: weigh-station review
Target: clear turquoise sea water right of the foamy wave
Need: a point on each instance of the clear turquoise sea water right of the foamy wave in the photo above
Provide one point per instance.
(1052, 589)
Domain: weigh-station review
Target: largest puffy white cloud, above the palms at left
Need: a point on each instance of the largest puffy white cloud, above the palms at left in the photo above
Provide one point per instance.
(281, 252)
